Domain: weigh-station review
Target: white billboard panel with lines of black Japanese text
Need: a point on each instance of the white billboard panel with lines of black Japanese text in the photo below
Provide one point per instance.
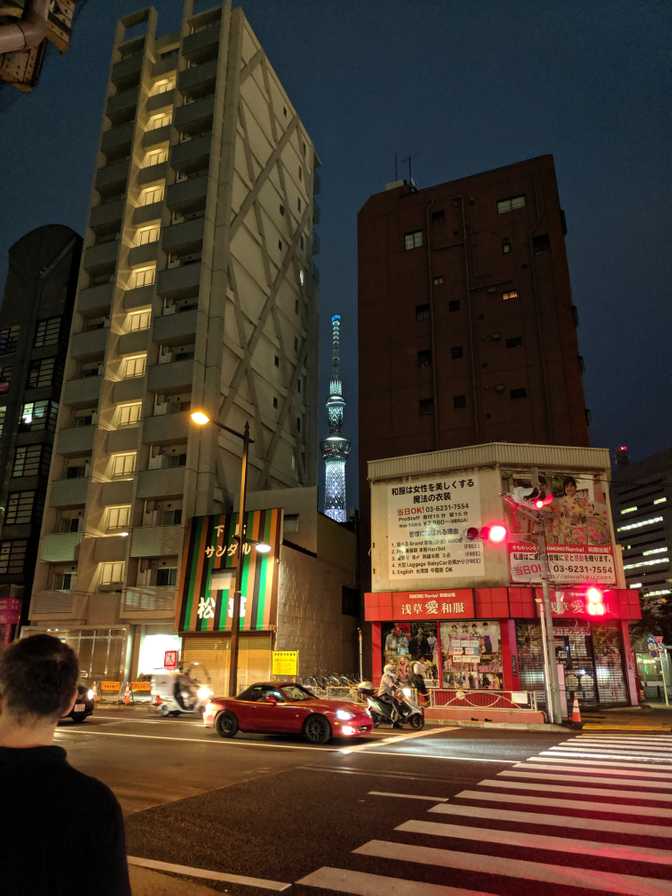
(427, 521)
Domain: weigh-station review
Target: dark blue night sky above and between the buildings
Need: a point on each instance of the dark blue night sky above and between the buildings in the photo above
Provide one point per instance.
(464, 87)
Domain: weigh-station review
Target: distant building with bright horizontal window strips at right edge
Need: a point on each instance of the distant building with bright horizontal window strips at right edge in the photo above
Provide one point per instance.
(642, 507)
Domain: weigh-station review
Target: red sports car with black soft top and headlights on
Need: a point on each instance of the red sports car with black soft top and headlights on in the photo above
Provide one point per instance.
(286, 708)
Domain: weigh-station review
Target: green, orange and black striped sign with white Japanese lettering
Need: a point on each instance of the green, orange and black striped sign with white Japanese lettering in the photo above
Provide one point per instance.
(210, 551)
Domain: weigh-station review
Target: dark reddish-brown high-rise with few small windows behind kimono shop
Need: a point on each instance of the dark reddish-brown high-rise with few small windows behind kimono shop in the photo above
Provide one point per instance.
(467, 331)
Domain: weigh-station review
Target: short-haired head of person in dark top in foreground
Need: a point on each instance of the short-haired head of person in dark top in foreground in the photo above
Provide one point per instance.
(38, 677)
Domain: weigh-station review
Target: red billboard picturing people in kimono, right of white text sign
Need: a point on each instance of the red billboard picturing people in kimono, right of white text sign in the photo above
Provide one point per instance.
(575, 516)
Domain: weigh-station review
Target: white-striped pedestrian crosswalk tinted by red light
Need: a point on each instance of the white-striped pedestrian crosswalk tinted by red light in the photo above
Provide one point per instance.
(592, 814)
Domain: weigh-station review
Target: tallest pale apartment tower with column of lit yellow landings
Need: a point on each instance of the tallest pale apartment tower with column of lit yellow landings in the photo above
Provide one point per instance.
(196, 289)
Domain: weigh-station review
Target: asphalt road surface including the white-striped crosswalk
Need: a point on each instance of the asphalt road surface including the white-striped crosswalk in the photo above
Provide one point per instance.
(445, 812)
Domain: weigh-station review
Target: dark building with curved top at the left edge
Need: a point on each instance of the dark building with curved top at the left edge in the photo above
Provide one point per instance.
(34, 327)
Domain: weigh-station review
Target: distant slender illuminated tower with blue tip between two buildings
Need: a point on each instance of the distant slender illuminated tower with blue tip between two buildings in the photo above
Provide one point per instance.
(336, 447)
